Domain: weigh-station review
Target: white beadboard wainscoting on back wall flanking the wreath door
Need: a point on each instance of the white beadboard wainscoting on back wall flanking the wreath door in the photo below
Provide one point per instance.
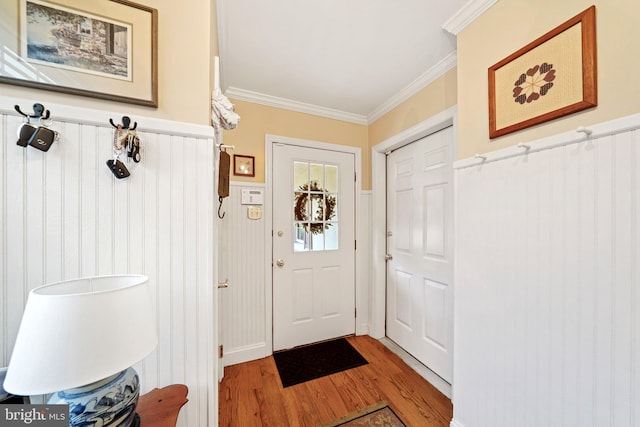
(245, 305)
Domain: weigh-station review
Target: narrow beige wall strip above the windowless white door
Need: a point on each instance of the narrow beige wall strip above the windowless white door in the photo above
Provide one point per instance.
(433, 99)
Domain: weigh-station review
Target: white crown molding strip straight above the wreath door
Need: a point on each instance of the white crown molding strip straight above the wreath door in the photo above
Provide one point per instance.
(287, 104)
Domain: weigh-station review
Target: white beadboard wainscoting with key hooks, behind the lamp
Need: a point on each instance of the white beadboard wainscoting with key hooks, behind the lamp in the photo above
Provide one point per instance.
(63, 215)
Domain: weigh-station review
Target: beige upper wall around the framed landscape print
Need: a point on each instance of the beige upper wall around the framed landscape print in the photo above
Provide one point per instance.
(187, 37)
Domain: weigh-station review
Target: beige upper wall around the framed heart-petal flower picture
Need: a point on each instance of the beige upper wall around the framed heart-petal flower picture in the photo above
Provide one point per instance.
(511, 24)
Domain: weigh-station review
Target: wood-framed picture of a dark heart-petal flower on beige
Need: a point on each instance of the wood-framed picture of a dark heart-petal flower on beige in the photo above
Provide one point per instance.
(551, 77)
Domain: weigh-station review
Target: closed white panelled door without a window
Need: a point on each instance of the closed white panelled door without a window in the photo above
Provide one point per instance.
(420, 245)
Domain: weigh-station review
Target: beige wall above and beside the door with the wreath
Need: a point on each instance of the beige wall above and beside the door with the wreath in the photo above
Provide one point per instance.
(257, 120)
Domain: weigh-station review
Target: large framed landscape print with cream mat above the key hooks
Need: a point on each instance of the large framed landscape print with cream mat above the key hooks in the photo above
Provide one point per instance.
(104, 49)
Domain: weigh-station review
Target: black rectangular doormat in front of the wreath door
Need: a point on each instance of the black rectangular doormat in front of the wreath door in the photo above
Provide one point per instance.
(307, 363)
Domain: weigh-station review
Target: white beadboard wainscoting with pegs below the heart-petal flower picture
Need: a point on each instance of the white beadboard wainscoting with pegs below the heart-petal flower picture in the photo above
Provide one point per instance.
(547, 330)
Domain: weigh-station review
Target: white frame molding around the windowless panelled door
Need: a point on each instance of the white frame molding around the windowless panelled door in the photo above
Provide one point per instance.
(444, 119)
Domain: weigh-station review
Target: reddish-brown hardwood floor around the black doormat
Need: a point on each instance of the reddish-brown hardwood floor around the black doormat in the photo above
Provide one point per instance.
(251, 393)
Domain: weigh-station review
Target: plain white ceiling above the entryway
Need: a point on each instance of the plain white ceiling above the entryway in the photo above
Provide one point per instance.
(340, 57)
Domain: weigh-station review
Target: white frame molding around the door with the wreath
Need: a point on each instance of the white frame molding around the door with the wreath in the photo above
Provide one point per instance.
(270, 140)
